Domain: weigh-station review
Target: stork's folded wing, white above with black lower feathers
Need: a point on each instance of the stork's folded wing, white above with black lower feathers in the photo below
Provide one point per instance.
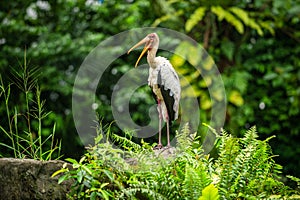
(169, 84)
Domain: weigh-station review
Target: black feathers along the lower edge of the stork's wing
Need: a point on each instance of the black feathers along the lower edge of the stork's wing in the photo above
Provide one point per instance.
(168, 99)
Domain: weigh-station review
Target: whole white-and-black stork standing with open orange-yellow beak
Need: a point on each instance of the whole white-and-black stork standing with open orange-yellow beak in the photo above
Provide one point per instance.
(164, 82)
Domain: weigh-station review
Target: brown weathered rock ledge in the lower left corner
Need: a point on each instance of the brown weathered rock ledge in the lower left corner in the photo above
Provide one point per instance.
(31, 179)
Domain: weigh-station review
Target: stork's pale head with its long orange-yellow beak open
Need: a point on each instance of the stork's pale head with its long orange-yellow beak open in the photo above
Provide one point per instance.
(151, 42)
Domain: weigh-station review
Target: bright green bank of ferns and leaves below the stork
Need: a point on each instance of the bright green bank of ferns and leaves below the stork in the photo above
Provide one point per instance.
(244, 169)
